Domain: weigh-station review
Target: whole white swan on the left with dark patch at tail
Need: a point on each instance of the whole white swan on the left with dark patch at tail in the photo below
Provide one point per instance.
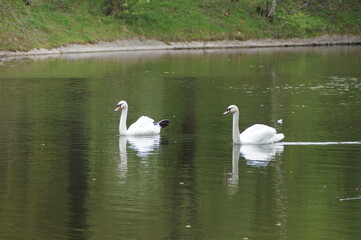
(143, 126)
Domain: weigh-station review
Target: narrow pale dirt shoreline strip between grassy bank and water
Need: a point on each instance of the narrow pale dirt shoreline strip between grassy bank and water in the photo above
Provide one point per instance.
(137, 45)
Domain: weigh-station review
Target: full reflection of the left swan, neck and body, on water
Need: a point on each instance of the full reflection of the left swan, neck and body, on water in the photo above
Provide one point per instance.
(144, 146)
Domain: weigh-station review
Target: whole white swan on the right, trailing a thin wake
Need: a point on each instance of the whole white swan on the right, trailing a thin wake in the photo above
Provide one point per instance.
(255, 134)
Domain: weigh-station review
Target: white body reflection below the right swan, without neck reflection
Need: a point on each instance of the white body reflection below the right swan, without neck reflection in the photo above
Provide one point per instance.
(260, 155)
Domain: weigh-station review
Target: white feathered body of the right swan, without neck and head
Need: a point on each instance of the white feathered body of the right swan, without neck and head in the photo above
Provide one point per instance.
(260, 134)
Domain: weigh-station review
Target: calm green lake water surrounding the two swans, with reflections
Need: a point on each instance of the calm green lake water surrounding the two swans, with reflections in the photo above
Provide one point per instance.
(66, 174)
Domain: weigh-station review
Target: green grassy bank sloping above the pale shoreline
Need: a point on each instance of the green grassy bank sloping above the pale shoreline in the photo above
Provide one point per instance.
(51, 23)
